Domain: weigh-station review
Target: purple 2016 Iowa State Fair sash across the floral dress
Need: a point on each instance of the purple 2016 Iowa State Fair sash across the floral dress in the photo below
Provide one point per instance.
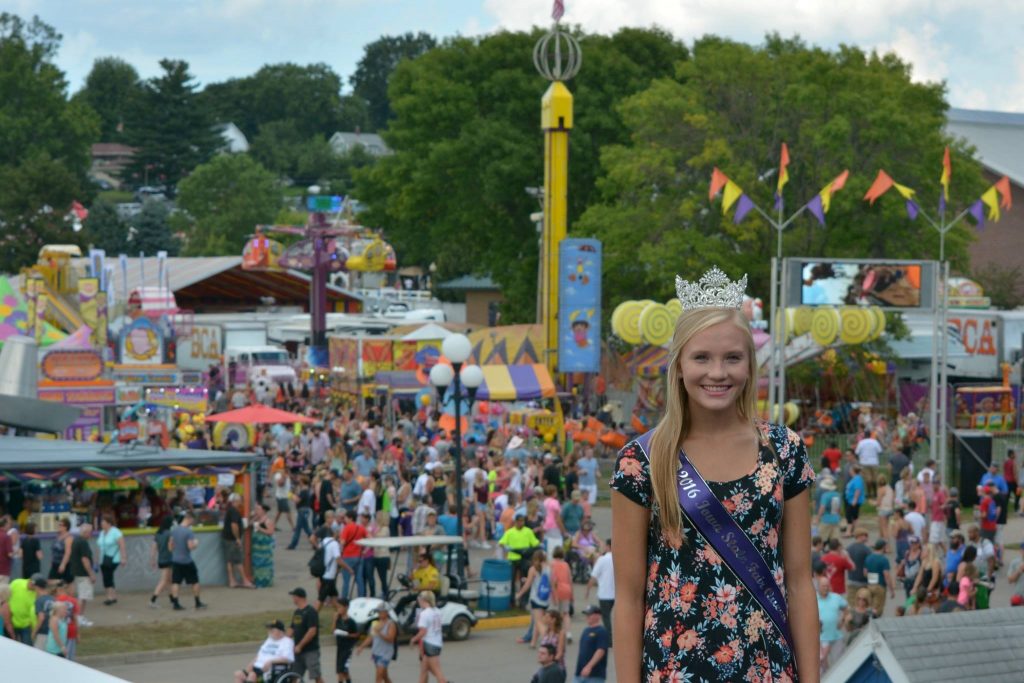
(718, 528)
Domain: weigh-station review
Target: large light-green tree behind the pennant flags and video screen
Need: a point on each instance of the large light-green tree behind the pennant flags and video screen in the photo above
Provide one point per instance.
(733, 106)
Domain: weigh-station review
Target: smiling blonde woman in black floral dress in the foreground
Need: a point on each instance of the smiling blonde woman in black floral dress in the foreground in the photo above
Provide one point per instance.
(680, 613)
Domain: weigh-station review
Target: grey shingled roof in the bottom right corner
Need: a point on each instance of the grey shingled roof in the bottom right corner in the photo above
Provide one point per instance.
(976, 647)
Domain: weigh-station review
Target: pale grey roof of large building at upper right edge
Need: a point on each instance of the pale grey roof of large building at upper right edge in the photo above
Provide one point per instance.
(999, 137)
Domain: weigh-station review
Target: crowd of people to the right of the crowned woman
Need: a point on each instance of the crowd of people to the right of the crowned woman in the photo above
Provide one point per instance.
(927, 551)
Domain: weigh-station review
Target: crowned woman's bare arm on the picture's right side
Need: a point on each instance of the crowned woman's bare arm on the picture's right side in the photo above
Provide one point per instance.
(800, 587)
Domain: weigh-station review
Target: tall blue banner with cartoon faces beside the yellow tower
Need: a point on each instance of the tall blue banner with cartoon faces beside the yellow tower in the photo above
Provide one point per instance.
(580, 307)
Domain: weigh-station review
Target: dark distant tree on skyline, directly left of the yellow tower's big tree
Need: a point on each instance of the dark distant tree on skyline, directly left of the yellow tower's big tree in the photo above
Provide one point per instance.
(379, 61)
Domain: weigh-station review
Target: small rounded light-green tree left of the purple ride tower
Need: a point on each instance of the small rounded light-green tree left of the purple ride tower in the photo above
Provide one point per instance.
(226, 199)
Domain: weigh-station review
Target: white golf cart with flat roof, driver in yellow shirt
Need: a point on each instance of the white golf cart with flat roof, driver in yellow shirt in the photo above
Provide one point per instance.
(457, 618)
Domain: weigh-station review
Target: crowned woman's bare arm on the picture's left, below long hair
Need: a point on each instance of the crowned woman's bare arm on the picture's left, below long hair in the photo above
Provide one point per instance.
(629, 529)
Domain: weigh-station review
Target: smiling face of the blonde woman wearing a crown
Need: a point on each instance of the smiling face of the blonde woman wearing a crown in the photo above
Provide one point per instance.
(715, 368)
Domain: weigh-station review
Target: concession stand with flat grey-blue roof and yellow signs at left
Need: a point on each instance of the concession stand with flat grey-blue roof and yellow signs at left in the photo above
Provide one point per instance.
(54, 480)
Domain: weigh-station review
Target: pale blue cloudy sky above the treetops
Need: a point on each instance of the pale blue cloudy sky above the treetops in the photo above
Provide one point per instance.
(974, 47)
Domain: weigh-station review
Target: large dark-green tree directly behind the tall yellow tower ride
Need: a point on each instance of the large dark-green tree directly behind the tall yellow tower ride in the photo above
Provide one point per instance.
(467, 144)
